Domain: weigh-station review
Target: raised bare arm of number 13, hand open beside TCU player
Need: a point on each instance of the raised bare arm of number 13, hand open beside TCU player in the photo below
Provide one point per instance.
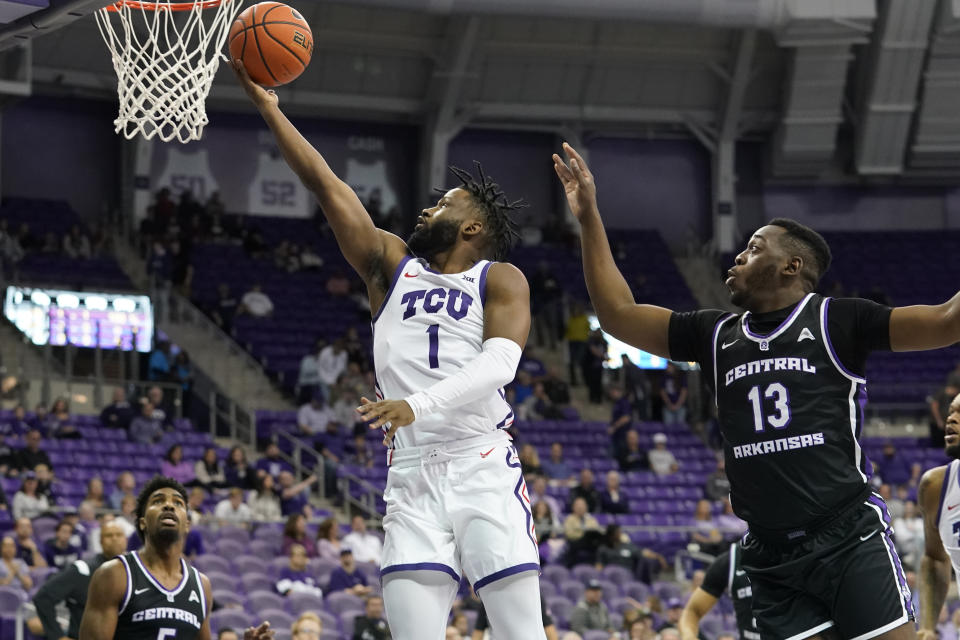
(641, 325)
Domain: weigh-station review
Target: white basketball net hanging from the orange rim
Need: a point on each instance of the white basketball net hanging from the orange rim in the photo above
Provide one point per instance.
(165, 69)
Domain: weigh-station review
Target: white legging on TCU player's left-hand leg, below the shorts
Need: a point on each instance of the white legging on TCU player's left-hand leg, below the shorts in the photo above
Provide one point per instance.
(418, 604)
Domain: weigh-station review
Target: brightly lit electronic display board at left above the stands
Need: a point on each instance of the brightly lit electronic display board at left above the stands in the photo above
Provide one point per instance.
(82, 319)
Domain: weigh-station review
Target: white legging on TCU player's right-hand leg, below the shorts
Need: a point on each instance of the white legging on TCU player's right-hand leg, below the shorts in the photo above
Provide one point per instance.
(513, 607)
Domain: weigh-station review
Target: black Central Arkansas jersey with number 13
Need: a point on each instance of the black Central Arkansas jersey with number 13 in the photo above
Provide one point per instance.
(790, 414)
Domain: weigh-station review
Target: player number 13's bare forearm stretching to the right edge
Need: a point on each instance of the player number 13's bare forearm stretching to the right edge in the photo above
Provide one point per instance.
(923, 327)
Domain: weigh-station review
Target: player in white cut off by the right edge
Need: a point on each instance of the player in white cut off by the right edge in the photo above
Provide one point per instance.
(939, 498)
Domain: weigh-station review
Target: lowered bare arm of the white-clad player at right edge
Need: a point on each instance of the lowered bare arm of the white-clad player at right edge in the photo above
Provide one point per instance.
(935, 564)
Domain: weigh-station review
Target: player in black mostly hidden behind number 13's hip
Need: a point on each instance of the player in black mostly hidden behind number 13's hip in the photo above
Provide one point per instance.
(724, 574)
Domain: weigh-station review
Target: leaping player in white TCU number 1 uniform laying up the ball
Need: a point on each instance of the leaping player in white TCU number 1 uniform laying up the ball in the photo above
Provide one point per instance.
(449, 326)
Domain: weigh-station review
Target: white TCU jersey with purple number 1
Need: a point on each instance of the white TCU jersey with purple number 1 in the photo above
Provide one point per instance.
(429, 326)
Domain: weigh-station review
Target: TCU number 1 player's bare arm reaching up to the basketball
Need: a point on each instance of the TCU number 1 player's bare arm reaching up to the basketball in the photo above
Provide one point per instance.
(373, 253)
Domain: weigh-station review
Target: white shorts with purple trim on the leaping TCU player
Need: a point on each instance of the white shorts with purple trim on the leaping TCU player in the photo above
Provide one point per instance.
(460, 508)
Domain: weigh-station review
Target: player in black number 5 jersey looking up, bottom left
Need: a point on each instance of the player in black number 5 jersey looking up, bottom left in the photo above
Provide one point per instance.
(154, 594)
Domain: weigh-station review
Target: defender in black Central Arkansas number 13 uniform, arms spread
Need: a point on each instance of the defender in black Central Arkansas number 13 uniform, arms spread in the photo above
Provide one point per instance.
(789, 385)
